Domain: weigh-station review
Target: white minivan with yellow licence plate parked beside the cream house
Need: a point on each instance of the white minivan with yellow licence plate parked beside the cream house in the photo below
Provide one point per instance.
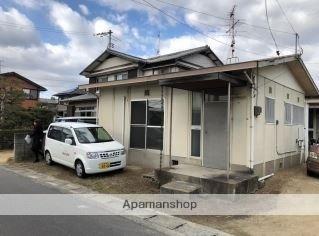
(87, 148)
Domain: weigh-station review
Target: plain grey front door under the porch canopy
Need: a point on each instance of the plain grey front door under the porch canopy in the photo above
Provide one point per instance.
(215, 135)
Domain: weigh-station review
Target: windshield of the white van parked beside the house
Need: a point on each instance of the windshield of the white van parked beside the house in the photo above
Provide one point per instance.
(92, 135)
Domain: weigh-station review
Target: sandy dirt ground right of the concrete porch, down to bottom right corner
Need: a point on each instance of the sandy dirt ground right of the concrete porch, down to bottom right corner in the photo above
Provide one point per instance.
(292, 181)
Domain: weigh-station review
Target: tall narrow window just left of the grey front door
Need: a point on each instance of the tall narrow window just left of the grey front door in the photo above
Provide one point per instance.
(196, 124)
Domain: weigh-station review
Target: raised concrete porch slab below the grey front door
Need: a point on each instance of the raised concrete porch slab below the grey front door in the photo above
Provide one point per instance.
(208, 180)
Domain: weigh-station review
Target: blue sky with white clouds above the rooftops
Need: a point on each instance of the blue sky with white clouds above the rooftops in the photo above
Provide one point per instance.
(50, 41)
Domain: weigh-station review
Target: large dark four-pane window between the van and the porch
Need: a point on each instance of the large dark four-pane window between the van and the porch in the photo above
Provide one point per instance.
(147, 119)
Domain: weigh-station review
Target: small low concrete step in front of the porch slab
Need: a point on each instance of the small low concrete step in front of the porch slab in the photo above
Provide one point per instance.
(178, 187)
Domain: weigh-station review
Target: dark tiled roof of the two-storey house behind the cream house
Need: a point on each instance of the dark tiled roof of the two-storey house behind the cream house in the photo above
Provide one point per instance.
(172, 56)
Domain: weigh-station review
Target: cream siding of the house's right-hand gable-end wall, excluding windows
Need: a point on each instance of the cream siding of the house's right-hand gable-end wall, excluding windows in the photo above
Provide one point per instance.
(265, 134)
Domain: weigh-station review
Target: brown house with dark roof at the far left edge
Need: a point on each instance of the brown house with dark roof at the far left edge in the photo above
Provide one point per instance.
(31, 89)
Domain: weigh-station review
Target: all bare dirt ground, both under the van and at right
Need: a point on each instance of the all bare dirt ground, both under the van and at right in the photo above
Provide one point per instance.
(292, 180)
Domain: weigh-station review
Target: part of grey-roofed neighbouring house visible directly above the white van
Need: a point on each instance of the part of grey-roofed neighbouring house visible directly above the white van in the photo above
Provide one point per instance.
(75, 102)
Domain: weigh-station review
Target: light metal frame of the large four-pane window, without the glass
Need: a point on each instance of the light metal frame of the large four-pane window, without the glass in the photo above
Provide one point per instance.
(146, 125)
